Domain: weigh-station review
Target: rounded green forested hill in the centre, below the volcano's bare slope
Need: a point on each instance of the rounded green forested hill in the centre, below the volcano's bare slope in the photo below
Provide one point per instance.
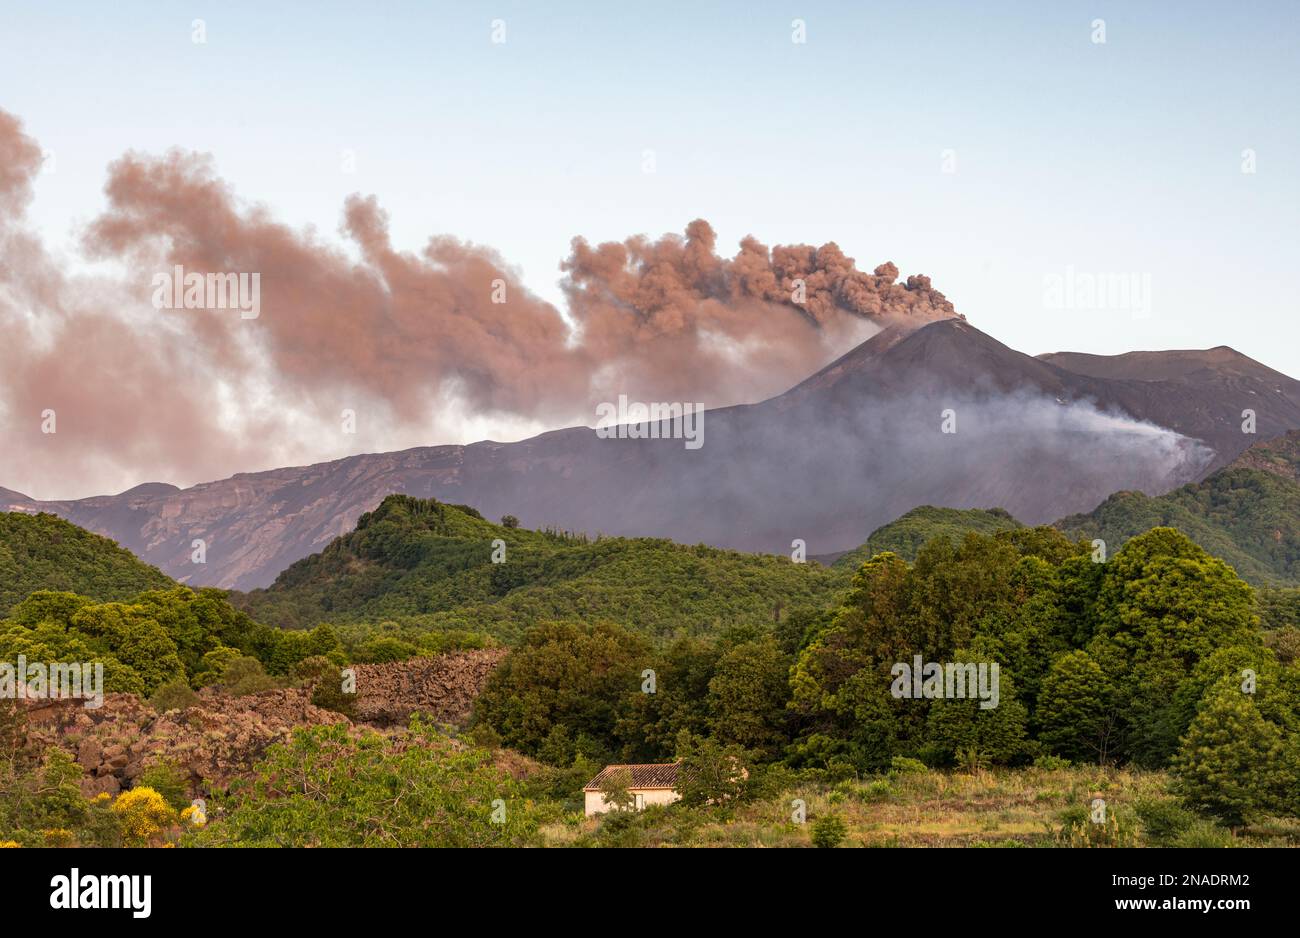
(430, 566)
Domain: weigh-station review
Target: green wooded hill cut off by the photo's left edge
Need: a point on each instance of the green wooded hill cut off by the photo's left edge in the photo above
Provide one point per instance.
(46, 553)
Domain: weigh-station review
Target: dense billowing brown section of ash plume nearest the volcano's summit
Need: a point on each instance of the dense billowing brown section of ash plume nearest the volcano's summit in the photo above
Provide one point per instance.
(729, 331)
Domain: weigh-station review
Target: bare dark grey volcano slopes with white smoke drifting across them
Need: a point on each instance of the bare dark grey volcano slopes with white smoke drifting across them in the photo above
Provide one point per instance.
(848, 450)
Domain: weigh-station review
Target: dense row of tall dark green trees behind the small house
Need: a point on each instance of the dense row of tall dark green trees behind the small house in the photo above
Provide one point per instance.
(1139, 661)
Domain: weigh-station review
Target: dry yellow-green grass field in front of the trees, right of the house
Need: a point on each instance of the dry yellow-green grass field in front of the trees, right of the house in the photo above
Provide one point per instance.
(1034, 807)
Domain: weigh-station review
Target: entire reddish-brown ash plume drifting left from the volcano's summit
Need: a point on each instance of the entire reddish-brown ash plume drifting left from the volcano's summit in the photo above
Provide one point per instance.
(444, 345)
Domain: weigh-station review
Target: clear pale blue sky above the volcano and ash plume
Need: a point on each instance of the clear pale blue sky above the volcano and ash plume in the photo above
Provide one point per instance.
(1117, 158)
